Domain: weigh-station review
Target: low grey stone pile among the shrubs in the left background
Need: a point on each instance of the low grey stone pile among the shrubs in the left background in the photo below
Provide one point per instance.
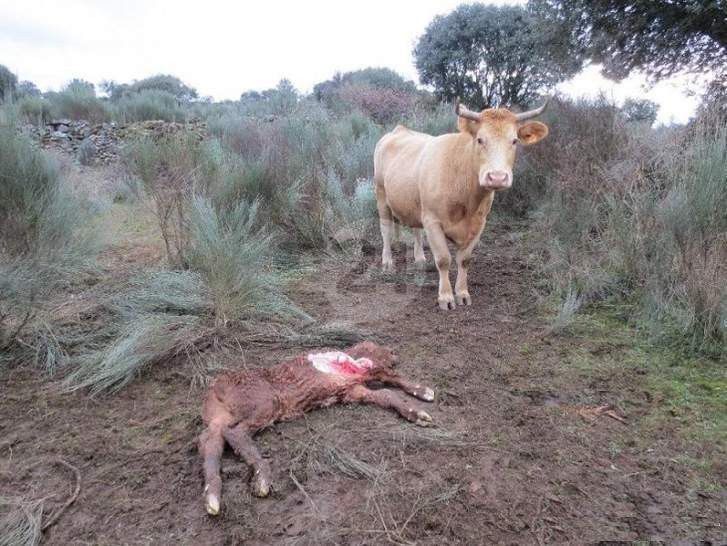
(101, 143)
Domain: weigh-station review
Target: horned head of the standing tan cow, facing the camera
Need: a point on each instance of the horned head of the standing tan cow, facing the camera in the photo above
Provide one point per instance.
(495, 133)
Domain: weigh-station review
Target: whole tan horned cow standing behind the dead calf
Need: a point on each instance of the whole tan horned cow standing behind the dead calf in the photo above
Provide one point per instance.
(446, 185)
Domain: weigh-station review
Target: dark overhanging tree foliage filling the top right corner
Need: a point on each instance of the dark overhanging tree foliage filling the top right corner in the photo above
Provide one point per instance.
(658, 37)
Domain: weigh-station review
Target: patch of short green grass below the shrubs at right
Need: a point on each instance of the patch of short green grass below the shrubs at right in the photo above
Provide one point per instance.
(689, 391)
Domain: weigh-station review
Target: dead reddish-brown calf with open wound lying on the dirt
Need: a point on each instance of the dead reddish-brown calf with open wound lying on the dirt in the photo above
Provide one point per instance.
(239, 404)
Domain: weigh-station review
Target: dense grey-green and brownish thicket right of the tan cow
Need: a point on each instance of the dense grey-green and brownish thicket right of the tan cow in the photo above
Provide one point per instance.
(637, 215)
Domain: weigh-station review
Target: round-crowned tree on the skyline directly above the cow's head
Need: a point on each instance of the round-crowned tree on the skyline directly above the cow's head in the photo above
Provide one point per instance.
(490, 55)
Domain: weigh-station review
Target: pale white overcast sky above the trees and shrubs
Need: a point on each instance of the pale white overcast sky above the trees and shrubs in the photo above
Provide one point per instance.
(223, 48)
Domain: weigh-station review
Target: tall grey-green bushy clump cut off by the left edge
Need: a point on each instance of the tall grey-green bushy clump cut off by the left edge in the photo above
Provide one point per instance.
(45, 236)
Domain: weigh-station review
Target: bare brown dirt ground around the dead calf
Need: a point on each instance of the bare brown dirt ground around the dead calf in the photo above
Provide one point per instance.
(519, 454)
